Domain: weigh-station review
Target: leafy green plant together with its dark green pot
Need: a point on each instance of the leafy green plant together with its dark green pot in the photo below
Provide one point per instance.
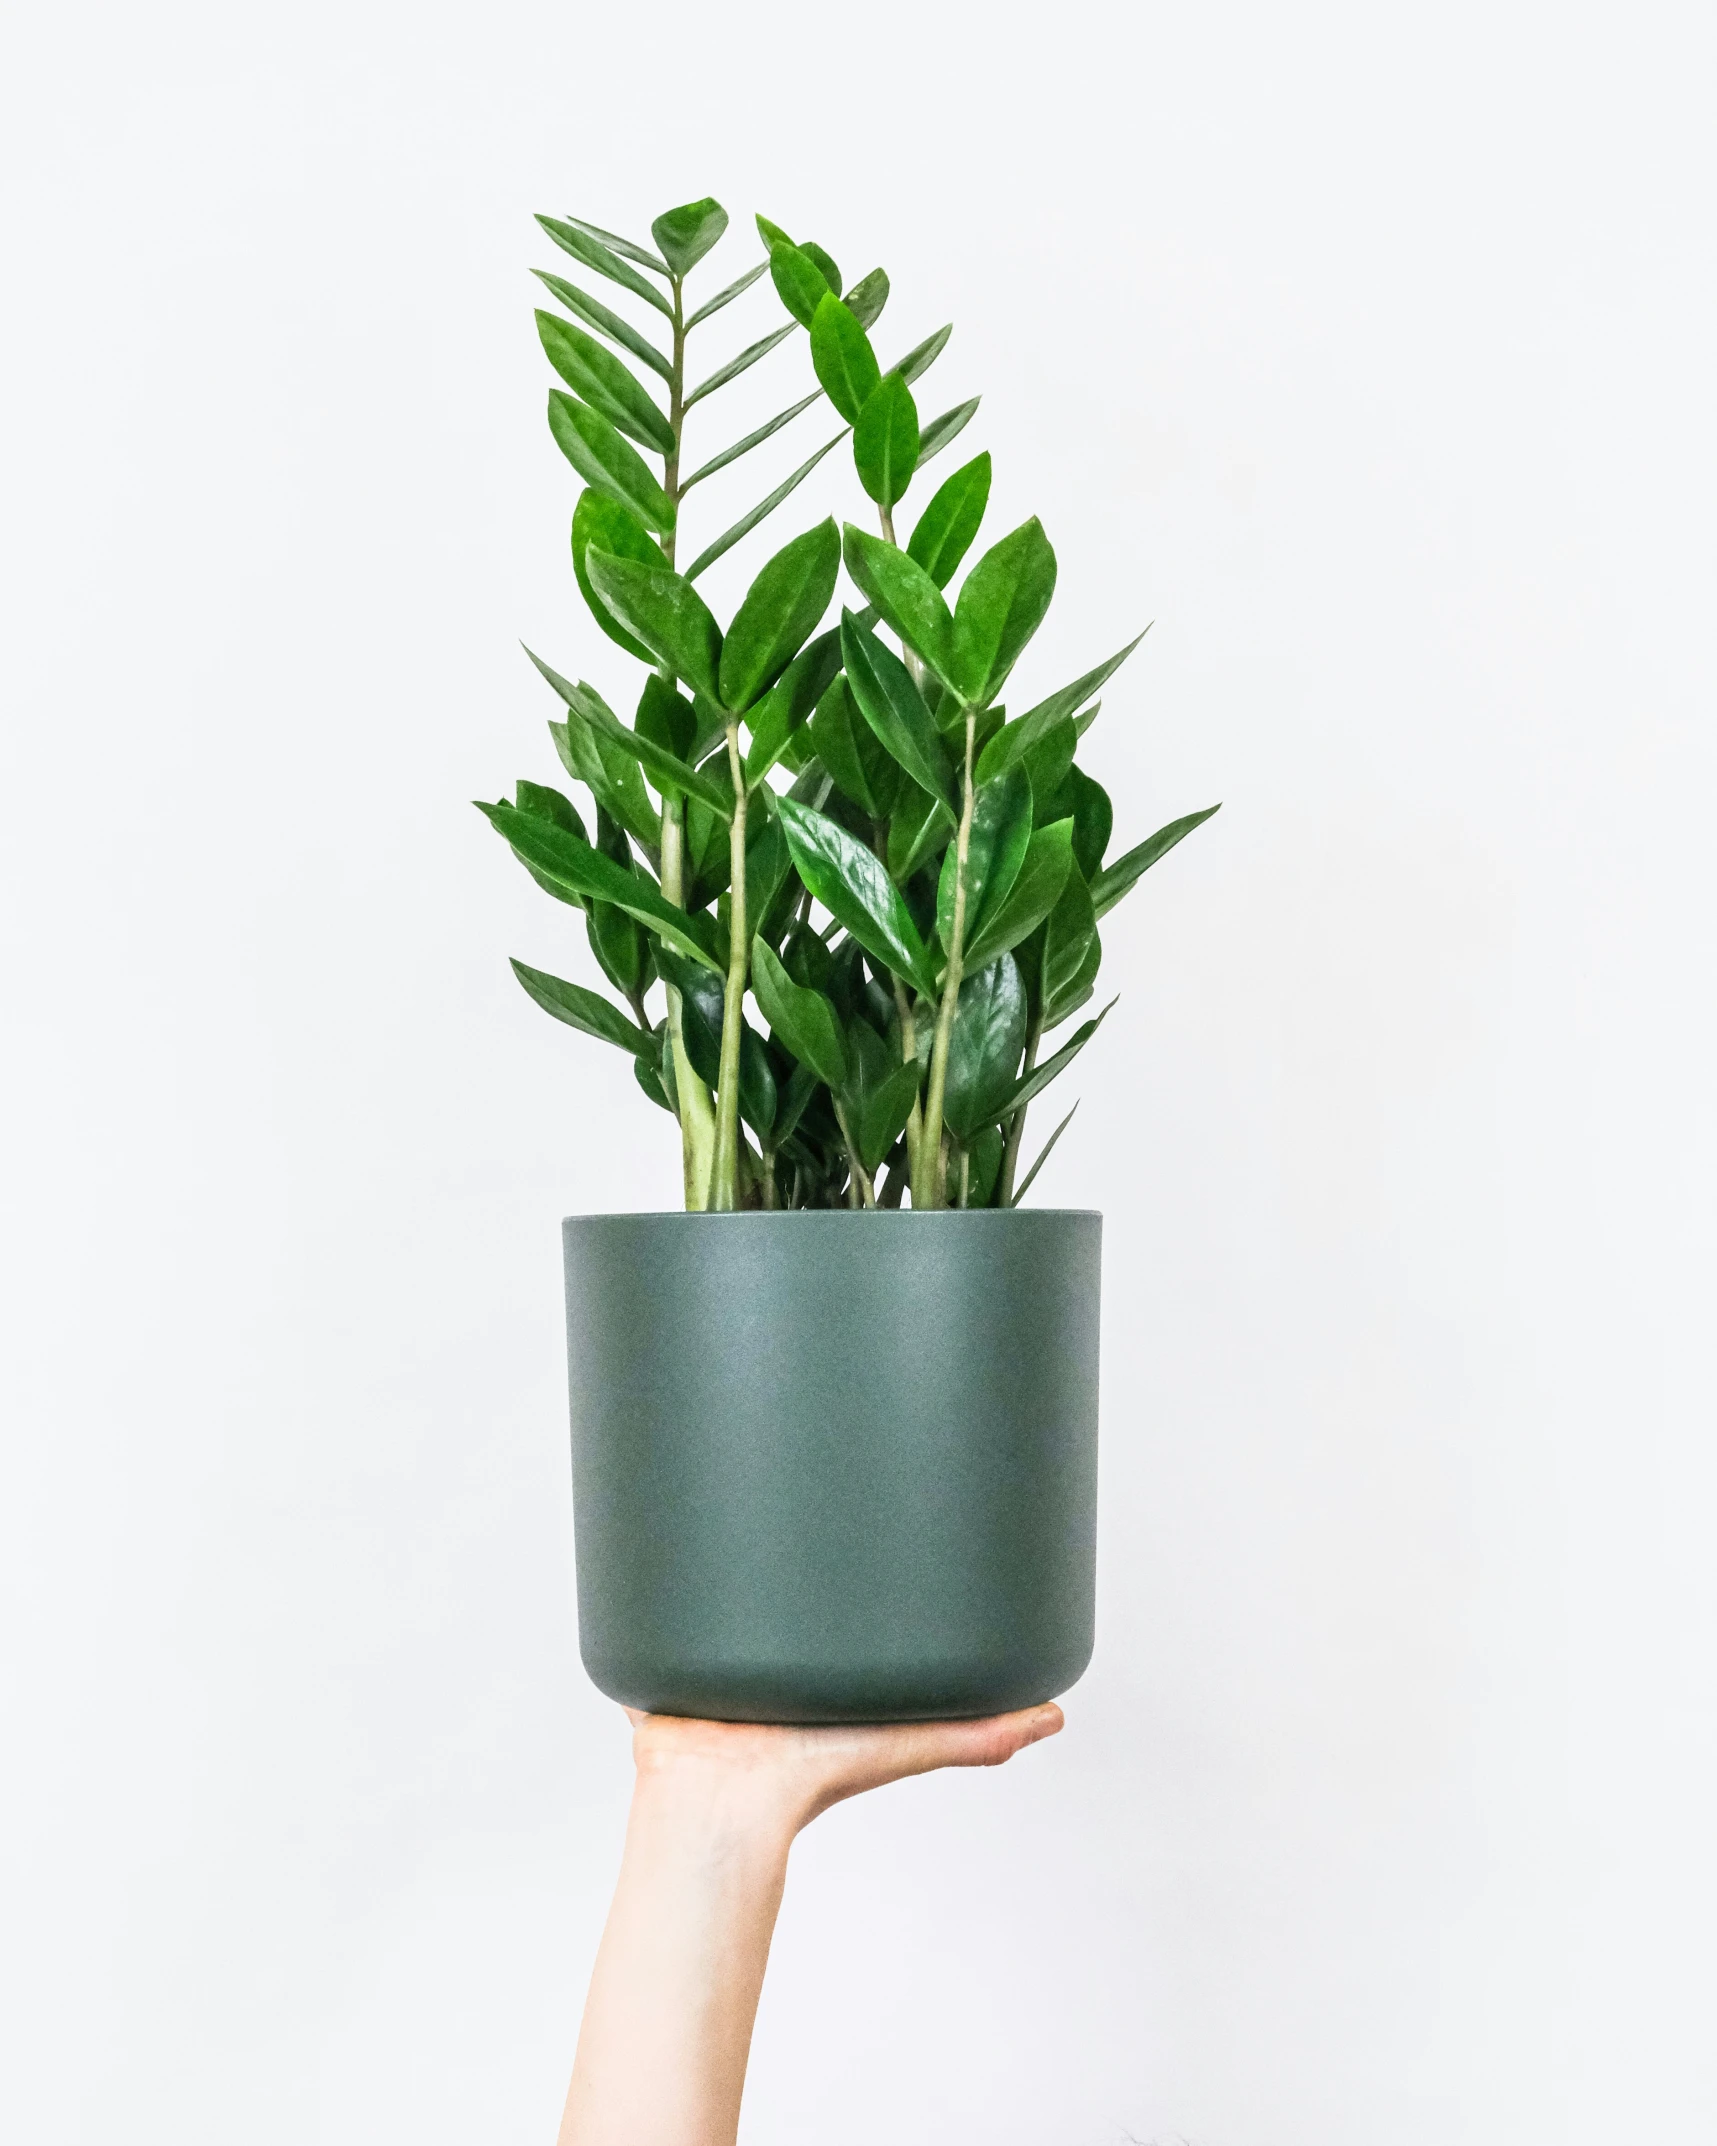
(836, 1424)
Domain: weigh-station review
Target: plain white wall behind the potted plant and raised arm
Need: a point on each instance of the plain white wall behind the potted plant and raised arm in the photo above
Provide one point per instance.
(1368, 353)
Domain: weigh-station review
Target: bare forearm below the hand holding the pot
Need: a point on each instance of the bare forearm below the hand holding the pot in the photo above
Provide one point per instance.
(675, 1993)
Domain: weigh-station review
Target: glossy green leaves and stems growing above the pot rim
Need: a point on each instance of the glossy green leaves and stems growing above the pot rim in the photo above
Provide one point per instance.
(902, 879)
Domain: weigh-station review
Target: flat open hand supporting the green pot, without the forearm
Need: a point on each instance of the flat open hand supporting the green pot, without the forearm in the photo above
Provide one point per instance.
(791, 1776)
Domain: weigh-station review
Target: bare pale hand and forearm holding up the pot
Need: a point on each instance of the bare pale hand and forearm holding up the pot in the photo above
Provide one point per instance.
(681, 1967)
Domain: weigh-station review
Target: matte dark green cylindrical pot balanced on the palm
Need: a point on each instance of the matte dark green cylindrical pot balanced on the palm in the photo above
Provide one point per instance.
(834, 1467)
